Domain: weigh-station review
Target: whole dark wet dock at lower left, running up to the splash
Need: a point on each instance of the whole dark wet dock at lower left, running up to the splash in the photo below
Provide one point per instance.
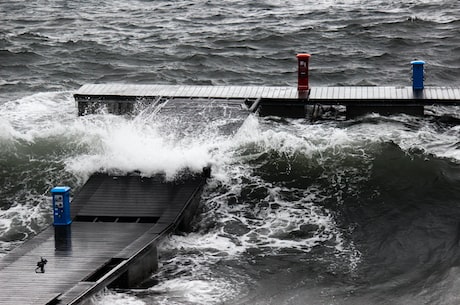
(112, 240)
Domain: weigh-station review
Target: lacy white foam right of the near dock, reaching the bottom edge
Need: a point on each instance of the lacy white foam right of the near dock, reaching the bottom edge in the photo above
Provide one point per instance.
(184, 278)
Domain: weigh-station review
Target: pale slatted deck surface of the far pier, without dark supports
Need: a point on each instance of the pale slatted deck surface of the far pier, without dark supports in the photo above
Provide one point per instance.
(322, 95)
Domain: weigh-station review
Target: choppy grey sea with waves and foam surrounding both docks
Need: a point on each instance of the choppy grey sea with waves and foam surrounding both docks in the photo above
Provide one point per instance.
(362, 211)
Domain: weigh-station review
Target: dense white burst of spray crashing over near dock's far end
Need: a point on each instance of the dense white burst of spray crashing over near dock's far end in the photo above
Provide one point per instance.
(120, 144)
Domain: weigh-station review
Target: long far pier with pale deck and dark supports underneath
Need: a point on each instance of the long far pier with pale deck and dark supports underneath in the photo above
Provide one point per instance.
(281, 101)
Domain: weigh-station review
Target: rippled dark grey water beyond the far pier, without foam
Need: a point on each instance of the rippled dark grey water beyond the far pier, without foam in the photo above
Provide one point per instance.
(225, 42)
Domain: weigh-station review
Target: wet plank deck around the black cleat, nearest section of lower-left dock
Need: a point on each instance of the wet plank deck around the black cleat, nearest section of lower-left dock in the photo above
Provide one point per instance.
(90, 246)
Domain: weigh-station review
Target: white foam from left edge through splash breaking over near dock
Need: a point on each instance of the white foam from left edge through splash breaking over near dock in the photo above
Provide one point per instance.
(104, 142)
